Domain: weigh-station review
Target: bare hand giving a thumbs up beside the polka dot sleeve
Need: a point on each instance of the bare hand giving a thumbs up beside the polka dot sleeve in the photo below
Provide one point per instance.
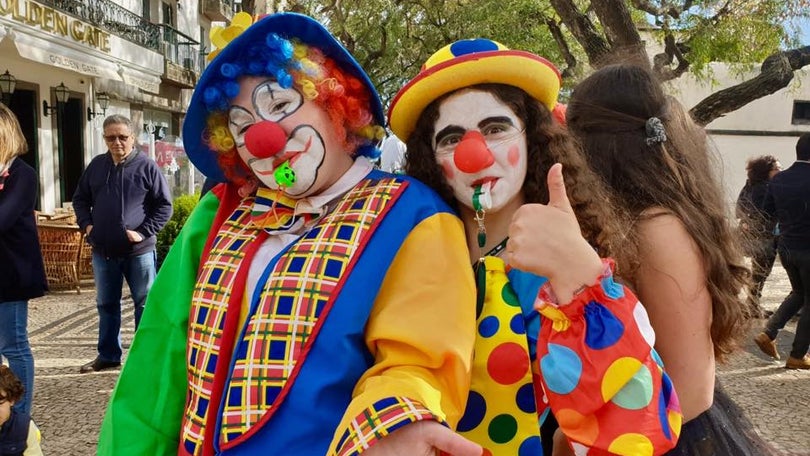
(545, 239)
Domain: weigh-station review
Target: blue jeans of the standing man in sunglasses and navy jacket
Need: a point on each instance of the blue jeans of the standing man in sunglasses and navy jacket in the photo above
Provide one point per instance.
(109, 274)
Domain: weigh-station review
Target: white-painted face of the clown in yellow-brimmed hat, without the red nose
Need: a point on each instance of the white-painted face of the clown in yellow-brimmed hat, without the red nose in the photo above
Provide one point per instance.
(476, 110)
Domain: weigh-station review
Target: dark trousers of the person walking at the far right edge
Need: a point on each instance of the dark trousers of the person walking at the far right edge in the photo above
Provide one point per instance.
(797, 266)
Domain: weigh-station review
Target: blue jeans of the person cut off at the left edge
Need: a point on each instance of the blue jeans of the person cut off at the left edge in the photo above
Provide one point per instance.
(15, 348)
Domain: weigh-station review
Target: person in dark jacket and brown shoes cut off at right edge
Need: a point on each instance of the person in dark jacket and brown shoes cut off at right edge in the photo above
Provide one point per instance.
(789, 200)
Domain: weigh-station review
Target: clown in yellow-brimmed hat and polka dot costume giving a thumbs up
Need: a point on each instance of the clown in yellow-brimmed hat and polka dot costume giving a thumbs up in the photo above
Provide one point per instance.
(479, 127)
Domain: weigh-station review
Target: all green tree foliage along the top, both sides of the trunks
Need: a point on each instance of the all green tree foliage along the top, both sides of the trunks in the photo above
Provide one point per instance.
(391, 39)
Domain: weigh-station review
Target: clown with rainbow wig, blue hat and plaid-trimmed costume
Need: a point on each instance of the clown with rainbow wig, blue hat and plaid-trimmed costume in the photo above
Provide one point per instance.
(311, 305)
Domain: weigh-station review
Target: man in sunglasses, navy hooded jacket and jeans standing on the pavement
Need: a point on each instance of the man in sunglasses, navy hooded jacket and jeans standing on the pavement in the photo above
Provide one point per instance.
(121, 203)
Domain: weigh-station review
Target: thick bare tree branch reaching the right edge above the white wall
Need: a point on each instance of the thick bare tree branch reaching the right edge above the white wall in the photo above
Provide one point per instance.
(776, 73)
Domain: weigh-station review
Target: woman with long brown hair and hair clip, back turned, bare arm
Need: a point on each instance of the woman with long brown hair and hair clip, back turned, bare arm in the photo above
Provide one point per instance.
(680, 255)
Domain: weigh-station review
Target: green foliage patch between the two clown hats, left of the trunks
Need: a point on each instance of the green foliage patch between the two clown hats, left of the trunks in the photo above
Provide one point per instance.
(392, 39)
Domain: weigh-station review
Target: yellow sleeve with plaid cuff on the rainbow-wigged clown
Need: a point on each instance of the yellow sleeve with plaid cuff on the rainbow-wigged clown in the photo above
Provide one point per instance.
(421, 332)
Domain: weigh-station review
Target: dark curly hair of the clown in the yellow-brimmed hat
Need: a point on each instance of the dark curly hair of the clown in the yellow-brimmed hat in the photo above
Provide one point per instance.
(548, 142)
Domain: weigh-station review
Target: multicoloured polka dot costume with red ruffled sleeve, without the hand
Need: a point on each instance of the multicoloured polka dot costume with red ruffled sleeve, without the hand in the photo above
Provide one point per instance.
(595, 368)
